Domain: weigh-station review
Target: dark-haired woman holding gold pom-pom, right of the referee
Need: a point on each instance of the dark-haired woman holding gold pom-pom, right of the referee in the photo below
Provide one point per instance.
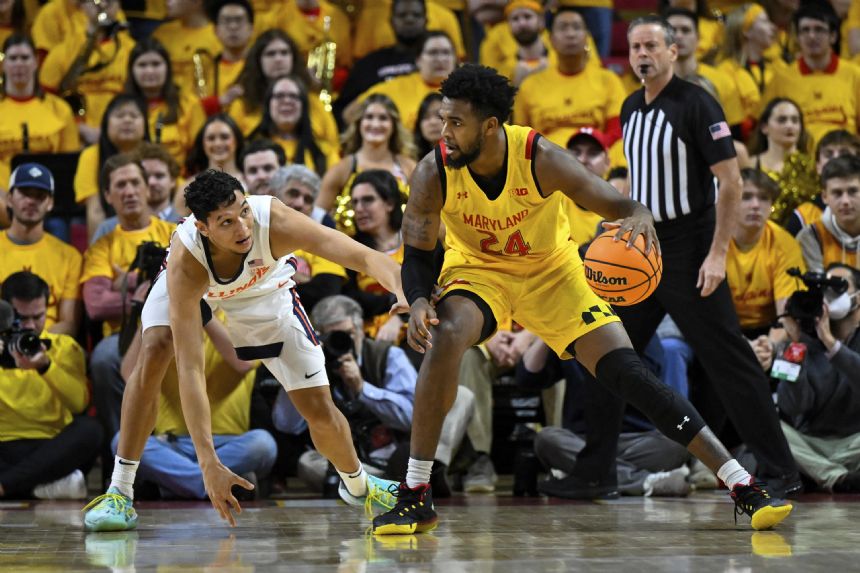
(780, 149)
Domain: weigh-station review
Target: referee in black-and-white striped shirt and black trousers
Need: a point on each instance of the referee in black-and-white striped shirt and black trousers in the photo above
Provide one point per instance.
(678, 146)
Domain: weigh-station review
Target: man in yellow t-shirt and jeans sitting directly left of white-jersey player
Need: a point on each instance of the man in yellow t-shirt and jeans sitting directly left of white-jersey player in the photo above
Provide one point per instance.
(112, 289)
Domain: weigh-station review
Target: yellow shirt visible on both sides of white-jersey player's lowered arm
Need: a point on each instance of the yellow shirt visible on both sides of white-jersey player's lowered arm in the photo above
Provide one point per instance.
(229, 397)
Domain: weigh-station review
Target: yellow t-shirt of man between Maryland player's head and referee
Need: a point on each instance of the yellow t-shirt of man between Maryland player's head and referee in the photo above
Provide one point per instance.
(556, 104)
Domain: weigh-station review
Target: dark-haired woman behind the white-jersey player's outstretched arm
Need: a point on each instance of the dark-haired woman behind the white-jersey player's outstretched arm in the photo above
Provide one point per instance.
(378, 219)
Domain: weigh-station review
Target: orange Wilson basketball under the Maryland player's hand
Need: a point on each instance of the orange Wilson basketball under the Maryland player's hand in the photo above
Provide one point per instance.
(619, 275)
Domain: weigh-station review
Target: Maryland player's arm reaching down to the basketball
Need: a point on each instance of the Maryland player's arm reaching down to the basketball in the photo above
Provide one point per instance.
(558, 170)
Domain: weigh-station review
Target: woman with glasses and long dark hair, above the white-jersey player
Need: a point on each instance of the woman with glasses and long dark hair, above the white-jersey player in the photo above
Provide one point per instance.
(287, 122)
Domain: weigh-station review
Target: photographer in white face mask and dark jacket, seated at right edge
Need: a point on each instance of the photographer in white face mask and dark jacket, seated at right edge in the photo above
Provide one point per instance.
(821, 406)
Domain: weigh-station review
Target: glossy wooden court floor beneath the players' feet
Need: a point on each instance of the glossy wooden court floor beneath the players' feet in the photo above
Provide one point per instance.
(477, 534)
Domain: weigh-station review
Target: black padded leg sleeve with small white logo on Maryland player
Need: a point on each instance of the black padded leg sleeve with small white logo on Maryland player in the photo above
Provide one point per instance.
(624, 373)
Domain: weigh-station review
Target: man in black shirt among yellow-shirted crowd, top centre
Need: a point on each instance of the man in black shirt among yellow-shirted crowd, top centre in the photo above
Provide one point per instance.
(409, 21)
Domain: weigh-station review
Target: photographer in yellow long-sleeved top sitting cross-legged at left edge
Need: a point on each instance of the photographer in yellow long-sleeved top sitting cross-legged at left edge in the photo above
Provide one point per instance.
(44, 443)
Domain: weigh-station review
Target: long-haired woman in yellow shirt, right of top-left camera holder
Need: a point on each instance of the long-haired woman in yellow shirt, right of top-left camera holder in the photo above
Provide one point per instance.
(174, 117)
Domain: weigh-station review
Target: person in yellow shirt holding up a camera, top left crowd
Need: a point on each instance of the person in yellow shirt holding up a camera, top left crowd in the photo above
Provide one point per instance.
(90, 65)
